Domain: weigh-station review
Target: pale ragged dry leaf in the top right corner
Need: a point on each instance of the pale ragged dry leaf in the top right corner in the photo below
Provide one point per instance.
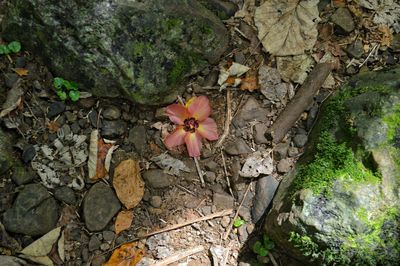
(387, 12)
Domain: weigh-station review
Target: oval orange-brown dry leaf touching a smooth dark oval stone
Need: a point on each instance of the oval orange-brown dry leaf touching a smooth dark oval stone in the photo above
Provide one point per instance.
(128, 183)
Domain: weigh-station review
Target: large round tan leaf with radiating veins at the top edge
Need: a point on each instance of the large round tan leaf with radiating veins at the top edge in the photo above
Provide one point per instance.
(287, 27)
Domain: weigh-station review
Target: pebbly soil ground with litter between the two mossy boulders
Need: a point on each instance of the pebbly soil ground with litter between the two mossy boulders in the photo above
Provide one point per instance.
(44, 125)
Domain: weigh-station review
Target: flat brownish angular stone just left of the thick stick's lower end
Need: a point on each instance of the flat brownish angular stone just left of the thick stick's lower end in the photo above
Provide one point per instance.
(250, 112)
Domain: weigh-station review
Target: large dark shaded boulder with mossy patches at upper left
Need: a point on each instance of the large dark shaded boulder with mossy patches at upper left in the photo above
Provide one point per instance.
(139, 49)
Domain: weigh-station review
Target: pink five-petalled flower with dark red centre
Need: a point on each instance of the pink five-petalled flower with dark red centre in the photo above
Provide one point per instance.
(193, 124)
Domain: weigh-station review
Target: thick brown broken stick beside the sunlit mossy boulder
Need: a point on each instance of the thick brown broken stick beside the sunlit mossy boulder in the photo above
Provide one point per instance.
(299, 103)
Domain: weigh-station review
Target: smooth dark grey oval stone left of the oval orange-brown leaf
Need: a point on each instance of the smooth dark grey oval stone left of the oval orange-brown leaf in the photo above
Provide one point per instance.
(99, 206)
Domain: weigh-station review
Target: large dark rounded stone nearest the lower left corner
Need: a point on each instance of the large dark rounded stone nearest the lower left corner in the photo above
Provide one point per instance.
(34, 212)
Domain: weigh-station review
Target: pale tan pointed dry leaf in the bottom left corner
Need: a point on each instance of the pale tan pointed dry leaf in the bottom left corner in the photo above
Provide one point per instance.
(39, 250)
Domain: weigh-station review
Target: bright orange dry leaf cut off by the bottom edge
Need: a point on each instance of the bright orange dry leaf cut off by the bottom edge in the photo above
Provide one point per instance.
(126, 255)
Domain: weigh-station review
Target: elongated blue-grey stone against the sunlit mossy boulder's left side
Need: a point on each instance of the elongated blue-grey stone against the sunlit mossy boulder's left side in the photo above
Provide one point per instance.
(265, 191)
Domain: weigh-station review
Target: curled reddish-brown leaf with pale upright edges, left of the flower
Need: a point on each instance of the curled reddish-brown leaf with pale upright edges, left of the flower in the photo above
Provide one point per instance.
(99, 156)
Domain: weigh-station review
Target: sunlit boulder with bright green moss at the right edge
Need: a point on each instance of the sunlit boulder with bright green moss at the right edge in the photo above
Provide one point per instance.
(341, 205)
